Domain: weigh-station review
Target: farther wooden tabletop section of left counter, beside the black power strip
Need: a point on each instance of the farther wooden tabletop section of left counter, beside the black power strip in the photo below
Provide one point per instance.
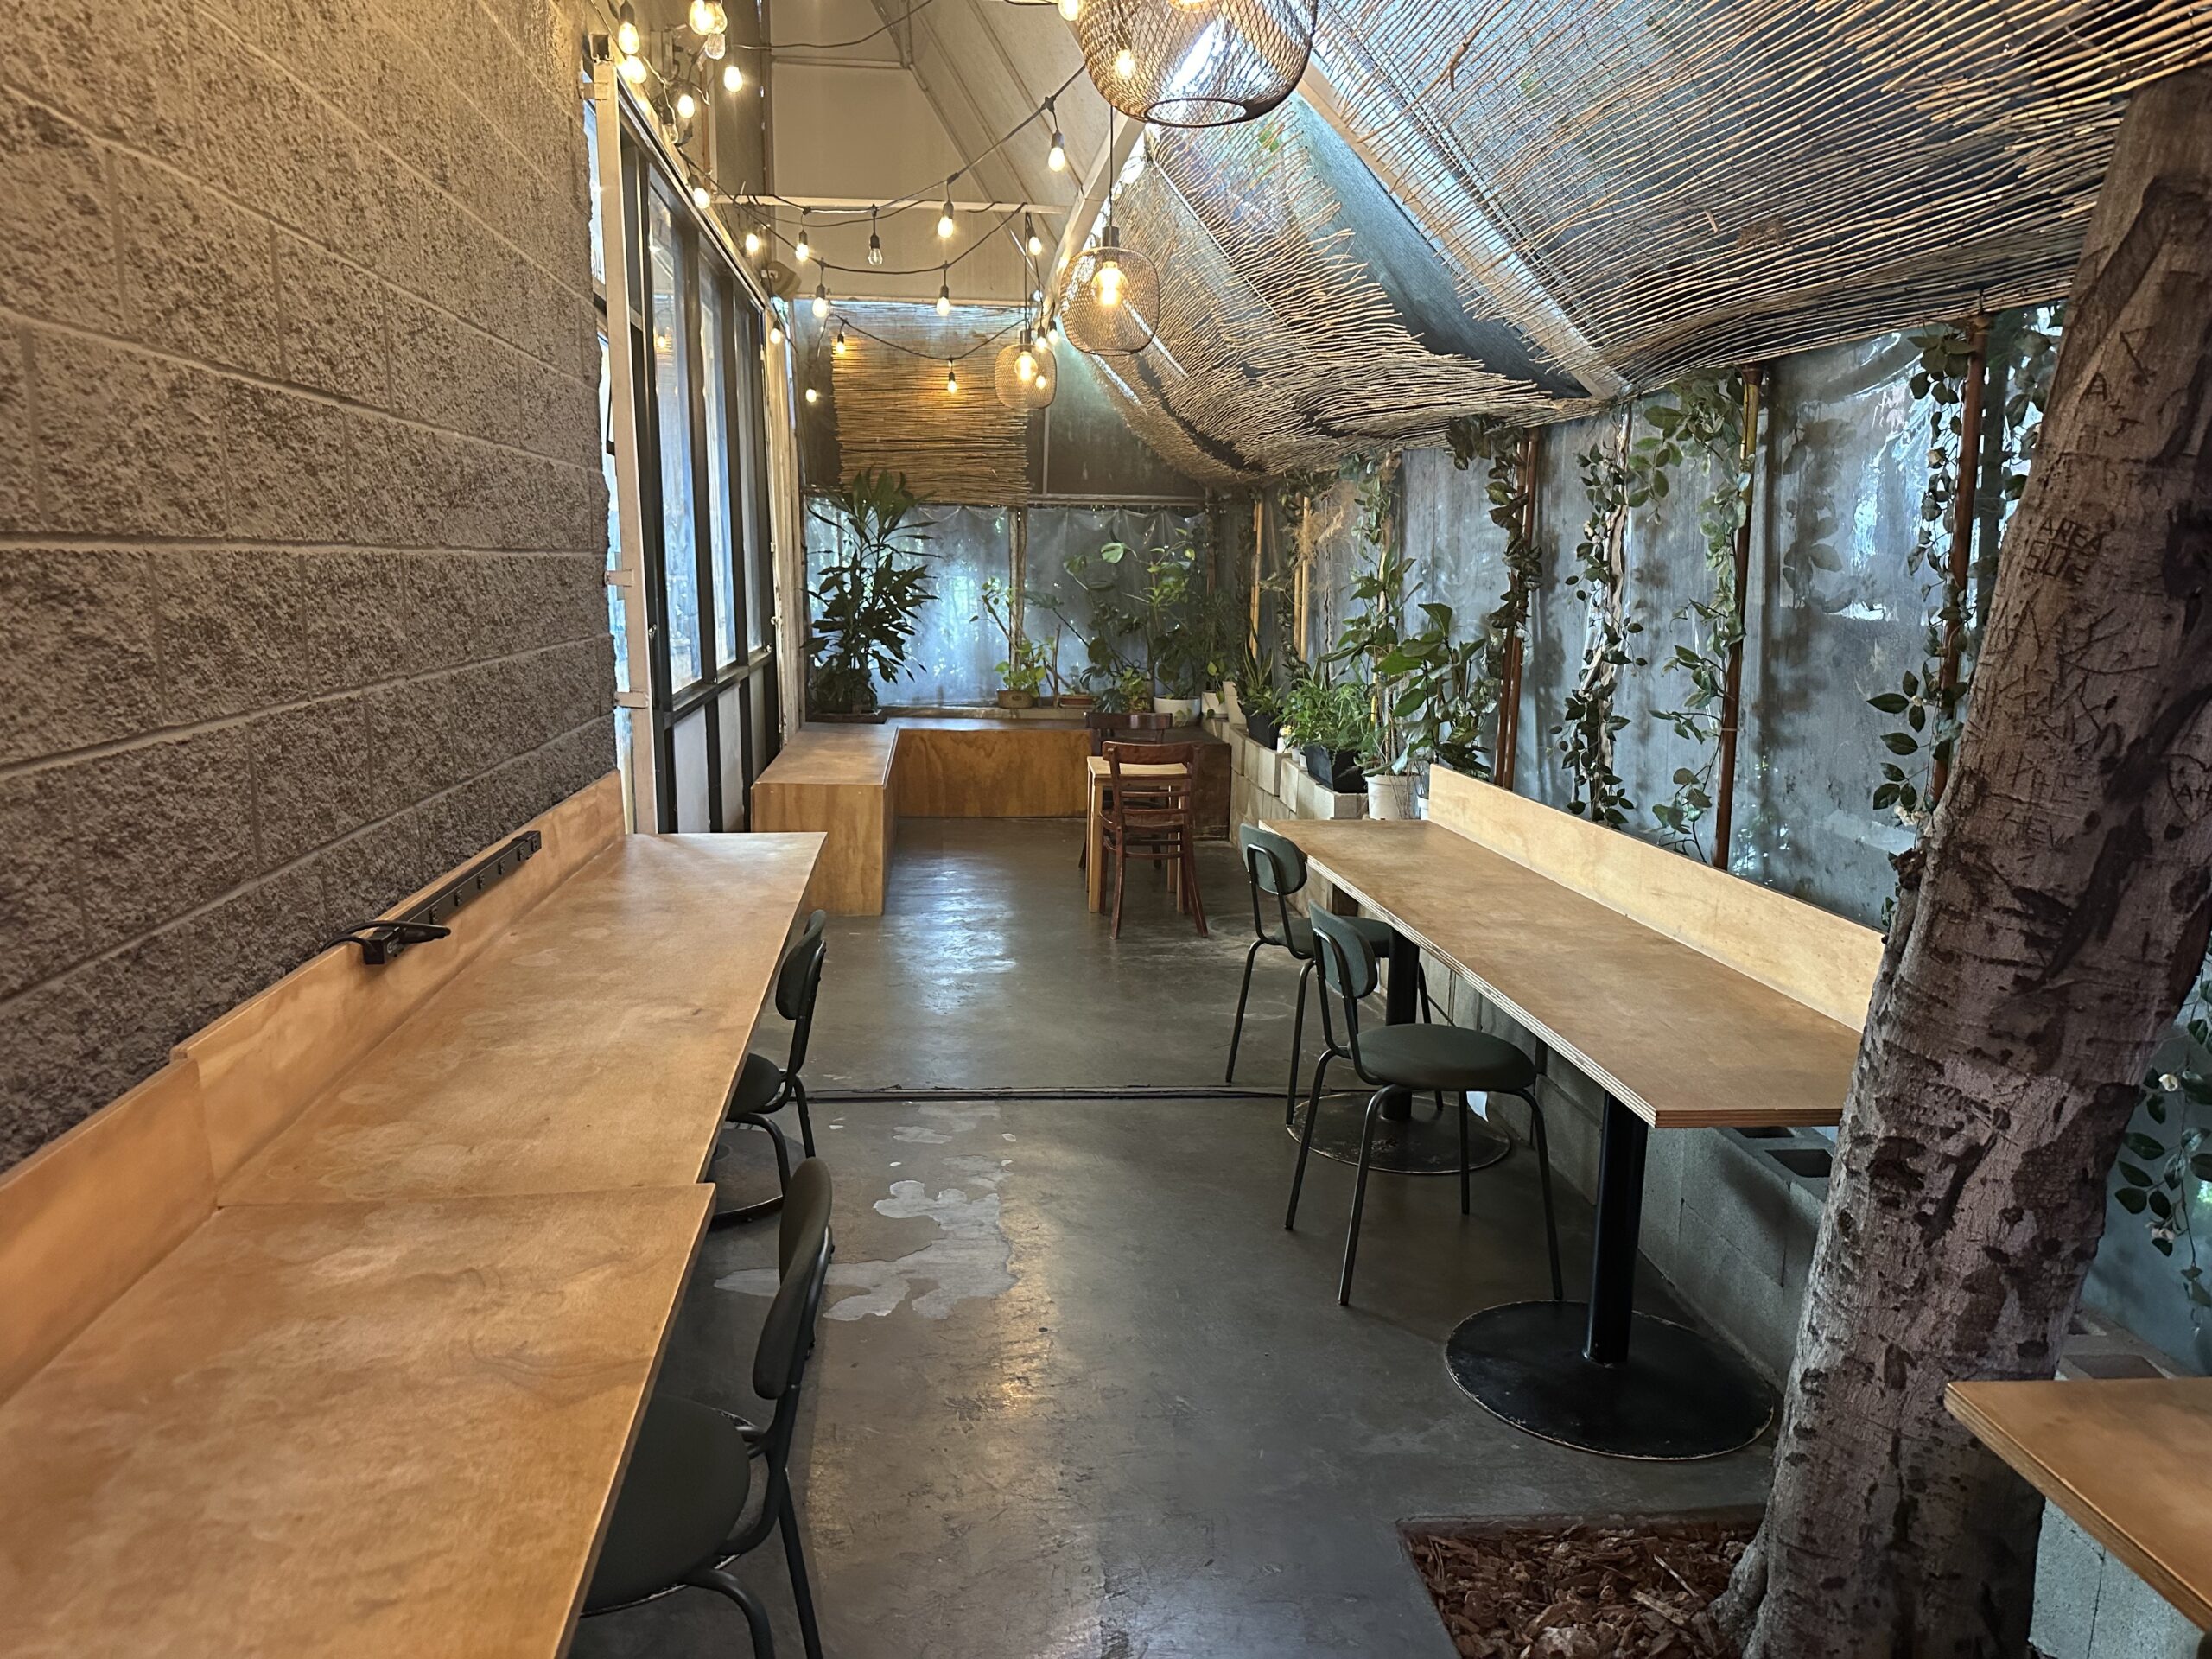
(589, 1047)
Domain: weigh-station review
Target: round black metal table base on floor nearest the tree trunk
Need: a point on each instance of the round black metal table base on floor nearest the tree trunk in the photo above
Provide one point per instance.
(1673, 1399)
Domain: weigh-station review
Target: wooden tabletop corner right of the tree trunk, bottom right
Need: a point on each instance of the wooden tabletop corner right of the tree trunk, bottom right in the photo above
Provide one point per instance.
(2127, 1459)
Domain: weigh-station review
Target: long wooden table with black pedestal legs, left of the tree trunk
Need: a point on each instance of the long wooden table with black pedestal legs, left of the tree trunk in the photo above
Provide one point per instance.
(1676, 1039)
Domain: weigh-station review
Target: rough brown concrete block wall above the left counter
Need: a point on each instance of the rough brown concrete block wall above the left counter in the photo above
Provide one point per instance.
(302, 523)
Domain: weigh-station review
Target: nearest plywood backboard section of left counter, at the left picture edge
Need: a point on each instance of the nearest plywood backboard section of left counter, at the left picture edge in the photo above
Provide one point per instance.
(87, 1213)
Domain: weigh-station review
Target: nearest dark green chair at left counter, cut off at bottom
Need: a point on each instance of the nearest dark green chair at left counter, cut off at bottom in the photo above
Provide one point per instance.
(680, 1516)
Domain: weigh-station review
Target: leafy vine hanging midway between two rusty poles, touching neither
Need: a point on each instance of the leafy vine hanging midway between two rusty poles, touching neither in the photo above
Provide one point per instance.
(1616, 483)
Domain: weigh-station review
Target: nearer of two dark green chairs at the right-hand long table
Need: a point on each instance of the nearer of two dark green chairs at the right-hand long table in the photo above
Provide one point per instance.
(1408, 1061)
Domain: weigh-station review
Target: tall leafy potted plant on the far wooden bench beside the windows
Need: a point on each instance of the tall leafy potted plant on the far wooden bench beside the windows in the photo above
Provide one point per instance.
(868, 596)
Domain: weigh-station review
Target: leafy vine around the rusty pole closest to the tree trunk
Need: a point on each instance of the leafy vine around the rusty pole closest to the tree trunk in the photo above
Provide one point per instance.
(2023, 346)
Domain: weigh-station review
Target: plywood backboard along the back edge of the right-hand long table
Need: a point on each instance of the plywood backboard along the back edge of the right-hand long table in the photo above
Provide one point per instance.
(1804, 952)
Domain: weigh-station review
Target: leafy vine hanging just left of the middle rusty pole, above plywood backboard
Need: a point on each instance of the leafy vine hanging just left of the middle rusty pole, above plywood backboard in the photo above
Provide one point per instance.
(1702, 417)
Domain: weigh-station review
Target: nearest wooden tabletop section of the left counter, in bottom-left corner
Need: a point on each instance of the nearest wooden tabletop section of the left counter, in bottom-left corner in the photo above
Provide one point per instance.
(342, 1430)
